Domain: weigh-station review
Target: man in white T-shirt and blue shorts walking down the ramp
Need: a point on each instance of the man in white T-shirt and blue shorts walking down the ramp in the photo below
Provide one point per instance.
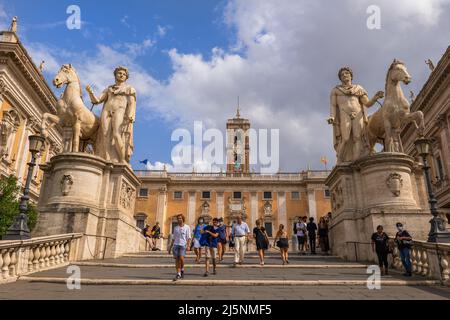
(179, 245)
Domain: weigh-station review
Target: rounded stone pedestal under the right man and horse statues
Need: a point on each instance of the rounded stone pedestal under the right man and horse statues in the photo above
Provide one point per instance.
(381, 189)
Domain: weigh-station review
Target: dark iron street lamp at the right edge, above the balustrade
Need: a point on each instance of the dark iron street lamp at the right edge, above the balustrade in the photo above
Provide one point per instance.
(438, 232)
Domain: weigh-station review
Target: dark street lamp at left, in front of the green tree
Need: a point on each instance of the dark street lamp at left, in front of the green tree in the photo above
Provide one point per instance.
(19, 229)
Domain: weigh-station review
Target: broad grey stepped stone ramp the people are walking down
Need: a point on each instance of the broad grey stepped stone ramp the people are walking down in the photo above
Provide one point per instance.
(302, 268)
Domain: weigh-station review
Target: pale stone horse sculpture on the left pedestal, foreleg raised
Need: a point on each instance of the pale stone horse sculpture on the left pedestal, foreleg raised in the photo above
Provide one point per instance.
(72, 111)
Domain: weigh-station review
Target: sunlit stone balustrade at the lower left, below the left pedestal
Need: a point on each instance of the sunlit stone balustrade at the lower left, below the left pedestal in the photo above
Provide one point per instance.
(19, 258)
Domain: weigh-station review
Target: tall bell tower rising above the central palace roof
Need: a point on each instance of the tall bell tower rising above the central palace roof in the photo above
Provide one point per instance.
(238, 144)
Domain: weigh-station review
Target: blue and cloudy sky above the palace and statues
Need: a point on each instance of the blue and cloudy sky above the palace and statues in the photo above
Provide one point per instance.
(190, 60)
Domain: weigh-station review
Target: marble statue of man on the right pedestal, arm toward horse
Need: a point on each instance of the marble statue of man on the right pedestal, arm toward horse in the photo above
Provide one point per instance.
(349, 117)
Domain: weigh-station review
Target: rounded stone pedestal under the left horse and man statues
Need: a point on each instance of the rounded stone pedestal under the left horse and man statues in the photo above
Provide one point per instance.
(82, 193)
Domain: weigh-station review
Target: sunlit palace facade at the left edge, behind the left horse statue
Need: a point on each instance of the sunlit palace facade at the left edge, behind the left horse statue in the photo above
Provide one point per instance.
(24, 98)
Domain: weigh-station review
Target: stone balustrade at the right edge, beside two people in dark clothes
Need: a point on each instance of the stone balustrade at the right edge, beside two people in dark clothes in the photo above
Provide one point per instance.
(428, 260)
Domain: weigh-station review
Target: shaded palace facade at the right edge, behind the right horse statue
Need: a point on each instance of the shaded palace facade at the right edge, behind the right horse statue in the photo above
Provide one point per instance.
(434, 101)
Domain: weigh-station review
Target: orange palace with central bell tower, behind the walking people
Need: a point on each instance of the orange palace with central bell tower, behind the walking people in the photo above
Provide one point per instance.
(276, 199)
